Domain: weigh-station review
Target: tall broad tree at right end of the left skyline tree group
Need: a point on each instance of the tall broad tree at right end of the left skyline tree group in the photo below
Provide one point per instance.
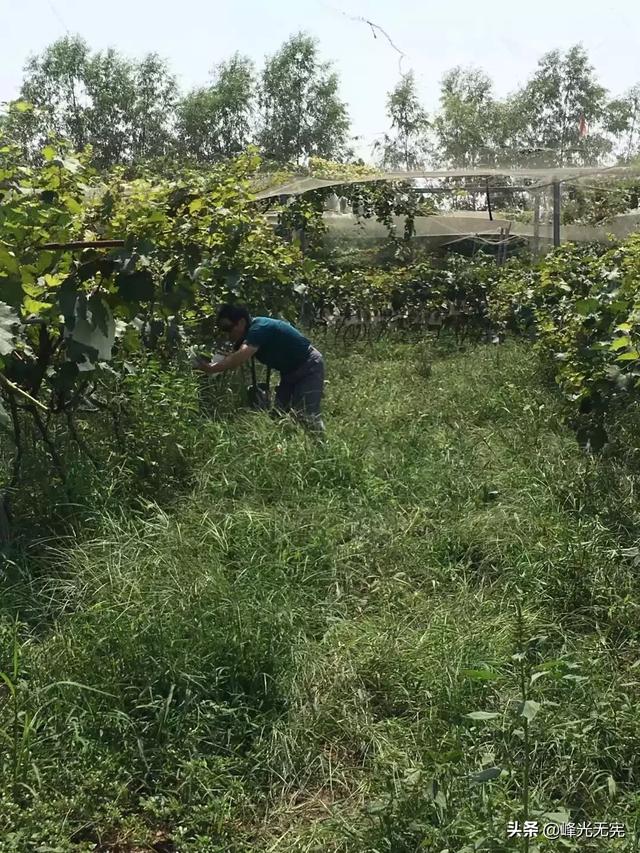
(302, 115)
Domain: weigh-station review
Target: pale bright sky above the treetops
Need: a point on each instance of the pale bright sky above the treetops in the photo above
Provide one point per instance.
(504, 39)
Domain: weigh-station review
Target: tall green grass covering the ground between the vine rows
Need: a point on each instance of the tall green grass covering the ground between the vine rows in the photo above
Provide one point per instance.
(284, 657)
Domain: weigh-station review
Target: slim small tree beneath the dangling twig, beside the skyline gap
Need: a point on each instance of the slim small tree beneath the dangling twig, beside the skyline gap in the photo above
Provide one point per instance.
(409, 147)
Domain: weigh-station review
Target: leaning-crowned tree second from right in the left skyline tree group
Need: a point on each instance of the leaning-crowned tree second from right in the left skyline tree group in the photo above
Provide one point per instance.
(215, 122)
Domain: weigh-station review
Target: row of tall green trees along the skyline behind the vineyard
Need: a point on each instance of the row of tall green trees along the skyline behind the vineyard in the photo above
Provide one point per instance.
(131, 111)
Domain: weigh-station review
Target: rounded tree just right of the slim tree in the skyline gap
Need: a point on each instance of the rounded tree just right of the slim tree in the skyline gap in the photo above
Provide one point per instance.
(468, 122)
